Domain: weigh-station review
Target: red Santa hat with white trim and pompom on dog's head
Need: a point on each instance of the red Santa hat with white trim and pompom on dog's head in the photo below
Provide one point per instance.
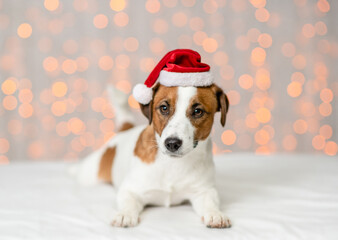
(179, 68)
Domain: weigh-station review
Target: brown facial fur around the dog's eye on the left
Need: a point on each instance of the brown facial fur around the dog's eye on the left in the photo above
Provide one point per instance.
(163, 94)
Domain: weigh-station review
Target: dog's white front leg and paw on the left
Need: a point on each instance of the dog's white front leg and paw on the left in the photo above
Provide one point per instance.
(129, 209)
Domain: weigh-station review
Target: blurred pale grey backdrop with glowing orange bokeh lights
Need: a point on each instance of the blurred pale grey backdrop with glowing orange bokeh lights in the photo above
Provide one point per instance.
(276, 60)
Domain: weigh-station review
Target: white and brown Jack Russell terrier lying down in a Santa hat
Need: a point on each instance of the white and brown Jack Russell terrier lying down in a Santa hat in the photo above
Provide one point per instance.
(170, 160)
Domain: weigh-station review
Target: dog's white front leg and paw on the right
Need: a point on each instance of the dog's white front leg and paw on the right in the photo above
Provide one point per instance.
(206, 204)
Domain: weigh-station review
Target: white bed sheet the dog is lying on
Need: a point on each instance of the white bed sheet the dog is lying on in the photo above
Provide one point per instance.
(266, 197)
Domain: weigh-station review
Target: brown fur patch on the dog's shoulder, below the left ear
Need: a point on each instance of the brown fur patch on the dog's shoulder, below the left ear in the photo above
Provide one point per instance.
(146, 145)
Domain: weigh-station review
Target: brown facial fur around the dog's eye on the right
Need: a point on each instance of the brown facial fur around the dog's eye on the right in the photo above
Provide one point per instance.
(208, 102)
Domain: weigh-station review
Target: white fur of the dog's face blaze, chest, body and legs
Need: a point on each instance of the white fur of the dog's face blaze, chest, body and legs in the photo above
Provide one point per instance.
(168, 180)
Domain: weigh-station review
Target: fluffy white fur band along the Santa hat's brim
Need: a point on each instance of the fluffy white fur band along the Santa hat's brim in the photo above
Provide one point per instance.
(194, 79)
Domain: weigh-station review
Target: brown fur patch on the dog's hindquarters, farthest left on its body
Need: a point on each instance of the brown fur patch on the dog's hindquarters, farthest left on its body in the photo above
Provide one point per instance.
(106, 164)
